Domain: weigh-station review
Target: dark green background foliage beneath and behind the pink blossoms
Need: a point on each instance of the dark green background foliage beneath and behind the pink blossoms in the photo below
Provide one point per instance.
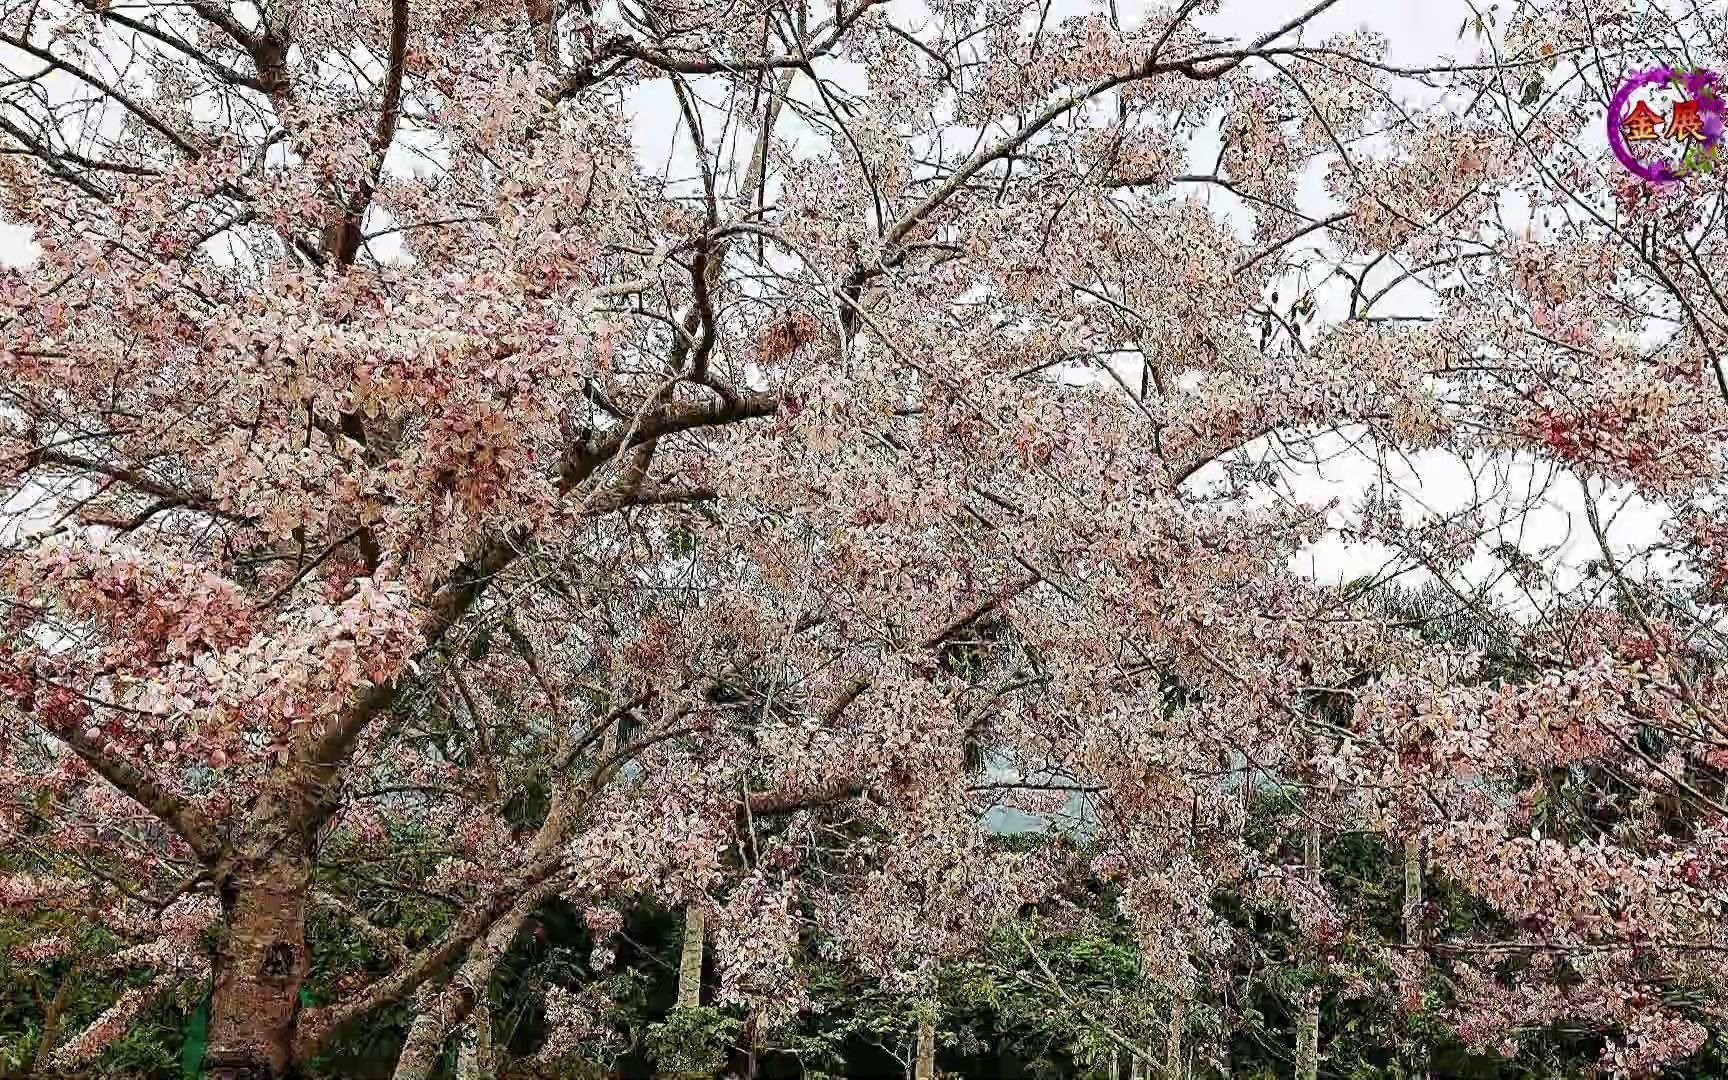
(1053, 996)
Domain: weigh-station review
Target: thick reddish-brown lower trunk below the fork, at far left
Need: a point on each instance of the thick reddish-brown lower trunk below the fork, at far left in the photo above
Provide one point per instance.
(260, 965)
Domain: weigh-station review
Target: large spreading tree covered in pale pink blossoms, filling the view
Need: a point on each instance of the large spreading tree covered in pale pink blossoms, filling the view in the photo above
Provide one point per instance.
(386, 438)
